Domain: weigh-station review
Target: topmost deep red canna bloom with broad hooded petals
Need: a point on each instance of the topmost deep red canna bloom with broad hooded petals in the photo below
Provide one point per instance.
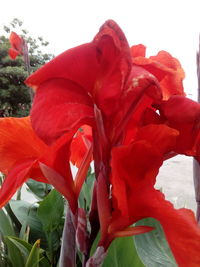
(98, 74)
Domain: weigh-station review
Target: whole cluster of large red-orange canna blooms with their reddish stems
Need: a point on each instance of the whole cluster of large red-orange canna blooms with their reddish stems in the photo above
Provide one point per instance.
(106, 102)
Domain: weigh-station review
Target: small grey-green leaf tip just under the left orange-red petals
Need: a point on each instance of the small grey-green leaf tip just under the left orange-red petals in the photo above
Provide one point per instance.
(40, 190)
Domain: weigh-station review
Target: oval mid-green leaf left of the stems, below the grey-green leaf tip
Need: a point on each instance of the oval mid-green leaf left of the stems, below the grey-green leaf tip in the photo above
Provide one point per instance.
(51, 210)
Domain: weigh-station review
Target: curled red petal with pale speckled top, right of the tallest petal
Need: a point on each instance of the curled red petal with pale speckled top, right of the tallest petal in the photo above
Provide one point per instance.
(142, 92)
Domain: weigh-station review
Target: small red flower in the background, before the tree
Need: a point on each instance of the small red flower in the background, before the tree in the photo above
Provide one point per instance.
(17, 45)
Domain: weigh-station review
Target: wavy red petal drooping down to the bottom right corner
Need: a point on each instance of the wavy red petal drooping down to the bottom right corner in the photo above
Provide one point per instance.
(135, 168)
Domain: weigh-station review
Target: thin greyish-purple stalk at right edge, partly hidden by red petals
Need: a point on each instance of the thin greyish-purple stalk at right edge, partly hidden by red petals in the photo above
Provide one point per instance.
(196, 166)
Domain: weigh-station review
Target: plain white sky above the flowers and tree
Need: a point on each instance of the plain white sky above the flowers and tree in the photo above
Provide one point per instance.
(171, 25)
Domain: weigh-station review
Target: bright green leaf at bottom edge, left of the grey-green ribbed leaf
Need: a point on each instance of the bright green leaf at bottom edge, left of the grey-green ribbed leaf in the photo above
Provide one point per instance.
(122, 253)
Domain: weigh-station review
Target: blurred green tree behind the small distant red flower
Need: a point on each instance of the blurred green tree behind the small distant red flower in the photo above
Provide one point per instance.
(14, 94)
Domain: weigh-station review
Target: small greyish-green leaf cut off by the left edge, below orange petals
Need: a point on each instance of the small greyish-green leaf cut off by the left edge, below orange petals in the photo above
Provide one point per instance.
(6, 227)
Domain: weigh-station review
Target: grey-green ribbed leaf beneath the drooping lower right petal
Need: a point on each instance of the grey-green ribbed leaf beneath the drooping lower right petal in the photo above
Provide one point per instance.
(152, 247)
